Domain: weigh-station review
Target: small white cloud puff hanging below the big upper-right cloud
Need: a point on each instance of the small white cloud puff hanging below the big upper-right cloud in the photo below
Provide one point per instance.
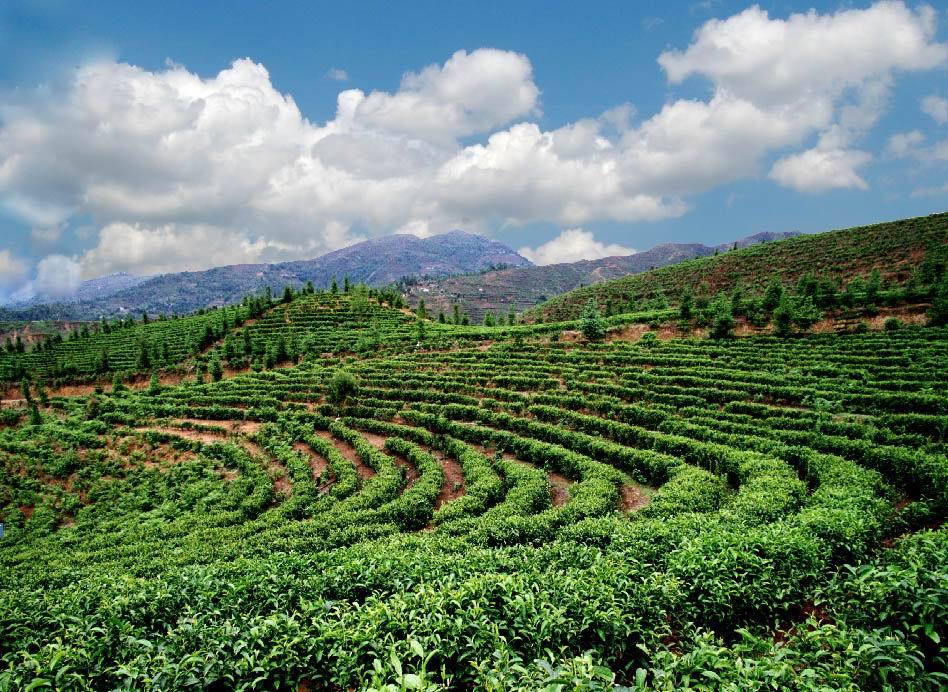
(818, 170)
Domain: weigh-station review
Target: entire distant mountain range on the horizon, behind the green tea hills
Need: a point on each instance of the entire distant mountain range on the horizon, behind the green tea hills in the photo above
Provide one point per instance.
(476, 273)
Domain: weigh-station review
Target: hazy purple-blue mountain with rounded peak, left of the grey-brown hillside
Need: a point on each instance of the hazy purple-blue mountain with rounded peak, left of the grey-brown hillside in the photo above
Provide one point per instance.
(375, 262)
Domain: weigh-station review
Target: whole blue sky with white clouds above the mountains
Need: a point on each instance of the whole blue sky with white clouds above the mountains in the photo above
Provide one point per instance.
(156, 137)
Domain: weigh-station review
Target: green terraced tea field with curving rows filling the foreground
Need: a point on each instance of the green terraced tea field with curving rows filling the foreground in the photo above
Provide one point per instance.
(513, 512)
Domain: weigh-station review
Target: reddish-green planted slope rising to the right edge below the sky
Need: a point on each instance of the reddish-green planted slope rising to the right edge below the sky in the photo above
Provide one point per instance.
(895, 248)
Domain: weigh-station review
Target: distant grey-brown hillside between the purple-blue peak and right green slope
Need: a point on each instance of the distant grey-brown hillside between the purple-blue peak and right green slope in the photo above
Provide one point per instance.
(522, 288)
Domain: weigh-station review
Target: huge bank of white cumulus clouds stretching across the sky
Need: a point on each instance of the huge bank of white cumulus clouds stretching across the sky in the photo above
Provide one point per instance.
(179, 171)
